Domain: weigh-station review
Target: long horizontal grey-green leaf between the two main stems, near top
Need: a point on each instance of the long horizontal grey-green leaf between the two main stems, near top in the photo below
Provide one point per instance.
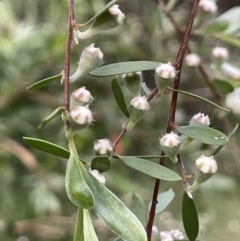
(124, 67)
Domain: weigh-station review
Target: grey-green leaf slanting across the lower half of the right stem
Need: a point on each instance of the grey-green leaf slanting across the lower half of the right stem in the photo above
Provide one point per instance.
(150, 168)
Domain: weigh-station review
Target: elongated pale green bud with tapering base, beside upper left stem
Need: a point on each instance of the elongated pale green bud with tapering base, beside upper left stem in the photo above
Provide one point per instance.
(90, 59)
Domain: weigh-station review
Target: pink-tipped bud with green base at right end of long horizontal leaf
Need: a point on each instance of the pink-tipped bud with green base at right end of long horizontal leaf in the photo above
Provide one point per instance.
(164, 75)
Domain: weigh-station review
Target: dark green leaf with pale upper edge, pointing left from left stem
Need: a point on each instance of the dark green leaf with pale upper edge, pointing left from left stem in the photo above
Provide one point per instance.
(47, 147)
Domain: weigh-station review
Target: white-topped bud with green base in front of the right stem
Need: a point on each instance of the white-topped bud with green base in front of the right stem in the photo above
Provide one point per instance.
(170, 144)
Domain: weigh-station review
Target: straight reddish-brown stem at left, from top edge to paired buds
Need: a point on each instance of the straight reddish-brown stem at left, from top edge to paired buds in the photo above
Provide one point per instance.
(67, 59)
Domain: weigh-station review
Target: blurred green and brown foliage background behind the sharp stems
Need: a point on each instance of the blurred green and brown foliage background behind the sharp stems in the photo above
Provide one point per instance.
(33, 202)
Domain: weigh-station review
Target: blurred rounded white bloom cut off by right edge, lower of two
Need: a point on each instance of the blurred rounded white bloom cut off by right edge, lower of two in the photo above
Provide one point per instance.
(233, 101)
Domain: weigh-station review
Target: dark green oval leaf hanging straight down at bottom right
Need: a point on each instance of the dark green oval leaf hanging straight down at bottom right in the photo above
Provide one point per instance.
(190, 217)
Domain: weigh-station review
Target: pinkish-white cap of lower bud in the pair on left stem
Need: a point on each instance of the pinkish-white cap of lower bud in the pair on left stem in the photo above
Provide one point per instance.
(81, 115)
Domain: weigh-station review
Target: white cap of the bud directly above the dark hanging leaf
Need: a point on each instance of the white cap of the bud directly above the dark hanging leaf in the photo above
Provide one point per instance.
(206, 165)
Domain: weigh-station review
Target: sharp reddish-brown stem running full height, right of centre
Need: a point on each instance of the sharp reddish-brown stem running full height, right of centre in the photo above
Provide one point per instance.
(171, 120)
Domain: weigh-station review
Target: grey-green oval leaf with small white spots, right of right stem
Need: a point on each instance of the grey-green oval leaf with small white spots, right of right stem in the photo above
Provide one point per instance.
(204, 134)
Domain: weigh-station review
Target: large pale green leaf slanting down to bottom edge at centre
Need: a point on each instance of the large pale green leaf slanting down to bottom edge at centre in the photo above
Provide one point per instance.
(114, 213)
